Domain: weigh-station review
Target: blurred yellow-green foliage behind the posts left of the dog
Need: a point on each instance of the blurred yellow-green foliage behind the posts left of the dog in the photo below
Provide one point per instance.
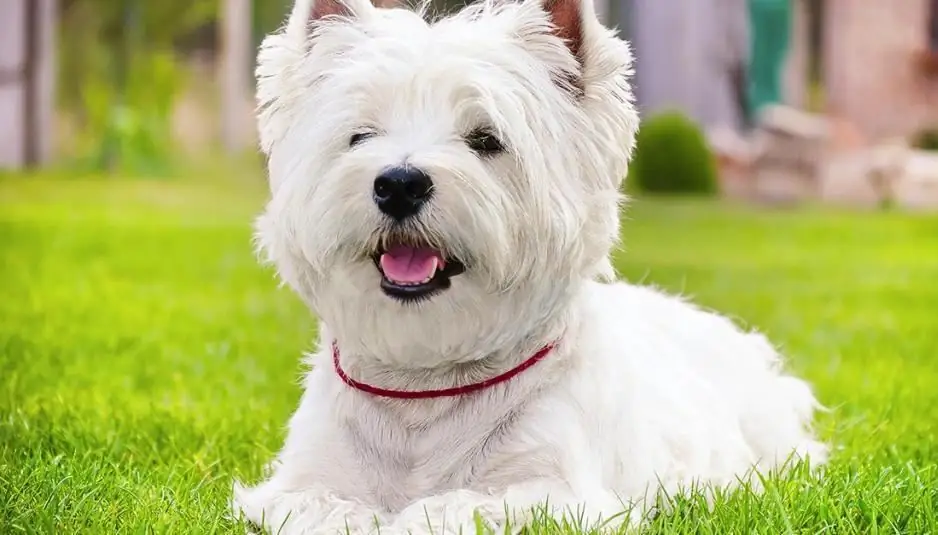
(122, 68)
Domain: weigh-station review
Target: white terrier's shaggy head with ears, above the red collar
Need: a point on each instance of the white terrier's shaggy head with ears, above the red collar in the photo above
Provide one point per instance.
(438, 189)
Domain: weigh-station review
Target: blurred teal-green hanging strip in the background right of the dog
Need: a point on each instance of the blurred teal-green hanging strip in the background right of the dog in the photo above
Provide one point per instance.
(770, 31)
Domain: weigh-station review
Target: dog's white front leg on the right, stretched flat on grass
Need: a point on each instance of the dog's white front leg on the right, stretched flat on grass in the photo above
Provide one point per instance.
(457, 512)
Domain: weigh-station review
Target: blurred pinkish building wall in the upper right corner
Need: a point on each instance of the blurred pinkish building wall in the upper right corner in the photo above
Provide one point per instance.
(871, 75)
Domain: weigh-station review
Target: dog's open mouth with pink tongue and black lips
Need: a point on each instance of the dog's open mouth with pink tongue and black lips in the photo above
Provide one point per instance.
(415, 272)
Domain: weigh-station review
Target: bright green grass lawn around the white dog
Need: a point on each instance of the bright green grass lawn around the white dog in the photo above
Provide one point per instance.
(146, 359)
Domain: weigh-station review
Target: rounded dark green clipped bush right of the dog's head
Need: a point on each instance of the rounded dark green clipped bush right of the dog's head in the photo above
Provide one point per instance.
(672, 156)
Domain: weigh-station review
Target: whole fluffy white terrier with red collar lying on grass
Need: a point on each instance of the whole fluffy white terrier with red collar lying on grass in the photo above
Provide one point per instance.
(445, 196)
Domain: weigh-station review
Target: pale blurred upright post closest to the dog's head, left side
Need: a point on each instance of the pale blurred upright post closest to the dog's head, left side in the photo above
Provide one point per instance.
(235, 76)
